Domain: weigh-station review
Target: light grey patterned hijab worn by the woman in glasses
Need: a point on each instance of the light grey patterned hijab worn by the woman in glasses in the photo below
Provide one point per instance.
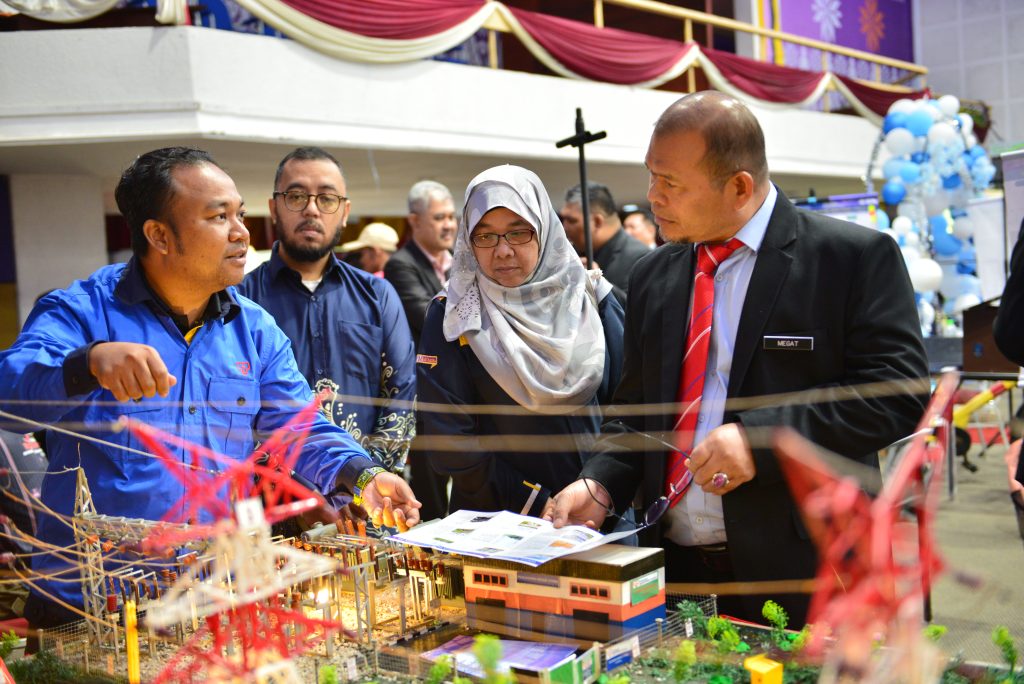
(543, 341)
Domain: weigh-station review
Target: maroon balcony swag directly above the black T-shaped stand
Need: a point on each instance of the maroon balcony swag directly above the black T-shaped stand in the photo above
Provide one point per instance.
(602, 55)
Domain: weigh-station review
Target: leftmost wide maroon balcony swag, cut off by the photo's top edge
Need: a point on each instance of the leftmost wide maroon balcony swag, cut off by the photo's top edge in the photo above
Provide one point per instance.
(397, 20)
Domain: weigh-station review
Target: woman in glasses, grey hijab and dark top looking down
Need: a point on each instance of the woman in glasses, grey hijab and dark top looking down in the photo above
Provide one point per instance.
(522, 328)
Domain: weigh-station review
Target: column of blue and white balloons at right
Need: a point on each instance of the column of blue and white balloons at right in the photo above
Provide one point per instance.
(935, 168)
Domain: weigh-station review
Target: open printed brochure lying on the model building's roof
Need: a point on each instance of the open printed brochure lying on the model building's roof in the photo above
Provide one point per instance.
(505, 536)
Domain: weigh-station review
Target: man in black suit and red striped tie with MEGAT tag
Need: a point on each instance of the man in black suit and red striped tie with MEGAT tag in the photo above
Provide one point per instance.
(815, 328)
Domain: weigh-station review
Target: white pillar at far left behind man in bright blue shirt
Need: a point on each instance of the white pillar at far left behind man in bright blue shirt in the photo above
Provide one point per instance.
(60, 235)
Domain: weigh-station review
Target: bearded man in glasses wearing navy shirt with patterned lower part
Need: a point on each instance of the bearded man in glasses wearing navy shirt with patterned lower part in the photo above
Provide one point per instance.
(348, 328)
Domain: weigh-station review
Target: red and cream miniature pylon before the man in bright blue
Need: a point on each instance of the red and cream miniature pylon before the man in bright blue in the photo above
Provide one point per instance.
(241, 597)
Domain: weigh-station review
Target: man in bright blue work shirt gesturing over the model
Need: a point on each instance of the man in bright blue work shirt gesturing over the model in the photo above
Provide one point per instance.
(166, 325)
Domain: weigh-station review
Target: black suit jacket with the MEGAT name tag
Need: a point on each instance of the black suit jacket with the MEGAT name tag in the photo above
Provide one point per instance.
(843, 285)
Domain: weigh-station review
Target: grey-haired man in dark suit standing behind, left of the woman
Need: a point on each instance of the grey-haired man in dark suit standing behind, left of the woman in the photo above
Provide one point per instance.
(418, 272)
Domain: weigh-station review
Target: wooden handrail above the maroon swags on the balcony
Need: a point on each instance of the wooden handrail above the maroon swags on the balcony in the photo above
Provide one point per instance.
(690, 16)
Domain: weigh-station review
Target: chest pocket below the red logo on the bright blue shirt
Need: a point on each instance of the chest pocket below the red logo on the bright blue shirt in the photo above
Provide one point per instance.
(234, 404)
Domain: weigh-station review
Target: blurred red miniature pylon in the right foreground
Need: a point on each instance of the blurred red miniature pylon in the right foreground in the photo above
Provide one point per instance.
(873, 579)
